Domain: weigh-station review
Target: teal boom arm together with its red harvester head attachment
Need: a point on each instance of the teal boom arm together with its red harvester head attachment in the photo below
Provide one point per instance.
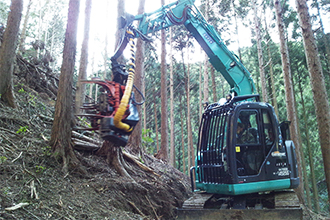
(115, 114)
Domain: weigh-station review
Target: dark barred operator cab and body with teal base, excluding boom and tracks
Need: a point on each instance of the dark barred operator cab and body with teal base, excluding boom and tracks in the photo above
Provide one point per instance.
(240, 144)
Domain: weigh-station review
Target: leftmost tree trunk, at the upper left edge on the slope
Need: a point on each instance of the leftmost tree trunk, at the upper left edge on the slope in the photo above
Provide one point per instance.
(7, 52)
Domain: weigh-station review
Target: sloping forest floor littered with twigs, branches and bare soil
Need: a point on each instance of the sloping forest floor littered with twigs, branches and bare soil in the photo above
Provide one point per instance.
(32, 185)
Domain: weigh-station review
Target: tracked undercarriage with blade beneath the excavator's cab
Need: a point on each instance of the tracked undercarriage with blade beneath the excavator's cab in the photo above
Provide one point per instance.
(272, 205)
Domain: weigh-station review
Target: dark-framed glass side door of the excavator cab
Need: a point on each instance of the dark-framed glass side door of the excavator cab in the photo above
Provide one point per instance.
(254, 141)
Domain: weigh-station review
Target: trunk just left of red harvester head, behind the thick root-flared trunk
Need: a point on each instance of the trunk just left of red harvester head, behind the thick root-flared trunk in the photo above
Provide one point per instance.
(81, 87)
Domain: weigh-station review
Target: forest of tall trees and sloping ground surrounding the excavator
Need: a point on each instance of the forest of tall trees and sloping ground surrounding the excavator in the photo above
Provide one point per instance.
(48, 48)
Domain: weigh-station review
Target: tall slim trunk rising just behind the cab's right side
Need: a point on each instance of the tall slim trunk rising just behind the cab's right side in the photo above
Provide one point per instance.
(290, 100)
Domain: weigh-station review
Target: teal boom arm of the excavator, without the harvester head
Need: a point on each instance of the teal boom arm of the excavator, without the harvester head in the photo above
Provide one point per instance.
(223, 60)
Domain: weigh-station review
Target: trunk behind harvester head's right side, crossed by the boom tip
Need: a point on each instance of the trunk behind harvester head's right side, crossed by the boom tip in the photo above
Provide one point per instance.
(136, 137)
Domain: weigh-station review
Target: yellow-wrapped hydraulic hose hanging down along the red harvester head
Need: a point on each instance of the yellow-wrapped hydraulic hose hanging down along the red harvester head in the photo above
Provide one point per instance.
(117, 120)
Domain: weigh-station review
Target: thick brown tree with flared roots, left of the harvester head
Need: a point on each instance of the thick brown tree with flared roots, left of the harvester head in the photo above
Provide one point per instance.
(61, 131)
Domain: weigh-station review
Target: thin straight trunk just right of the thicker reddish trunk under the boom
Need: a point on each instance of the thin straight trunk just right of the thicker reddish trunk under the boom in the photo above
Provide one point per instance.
(172, 149)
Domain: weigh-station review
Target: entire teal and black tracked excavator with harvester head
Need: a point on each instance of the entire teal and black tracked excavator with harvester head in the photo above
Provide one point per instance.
(245, 161)
